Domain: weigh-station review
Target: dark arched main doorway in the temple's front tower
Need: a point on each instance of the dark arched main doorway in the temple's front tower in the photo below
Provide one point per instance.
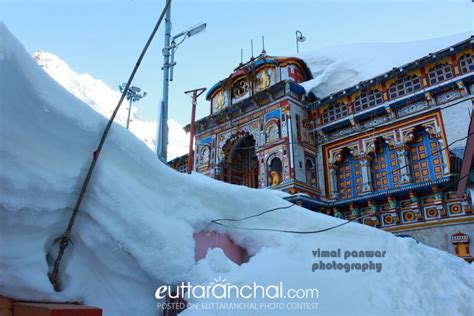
(241, 162)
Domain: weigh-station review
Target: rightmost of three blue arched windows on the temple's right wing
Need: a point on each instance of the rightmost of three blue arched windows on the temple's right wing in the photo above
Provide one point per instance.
(426, 157)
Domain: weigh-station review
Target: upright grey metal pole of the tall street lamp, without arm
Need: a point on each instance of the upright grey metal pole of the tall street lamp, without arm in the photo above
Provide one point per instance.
(162, 137)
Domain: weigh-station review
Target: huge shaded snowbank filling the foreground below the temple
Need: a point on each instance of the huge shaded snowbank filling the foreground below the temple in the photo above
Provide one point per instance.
(135, 229)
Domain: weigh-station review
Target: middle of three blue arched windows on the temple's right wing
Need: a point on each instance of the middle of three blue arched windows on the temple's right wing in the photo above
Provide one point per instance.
(385, 168)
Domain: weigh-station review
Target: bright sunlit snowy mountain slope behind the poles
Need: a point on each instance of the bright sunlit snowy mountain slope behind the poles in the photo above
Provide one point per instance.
(103, 99)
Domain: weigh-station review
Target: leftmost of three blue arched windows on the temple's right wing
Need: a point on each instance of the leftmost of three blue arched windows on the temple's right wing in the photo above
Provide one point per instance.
(349, 177)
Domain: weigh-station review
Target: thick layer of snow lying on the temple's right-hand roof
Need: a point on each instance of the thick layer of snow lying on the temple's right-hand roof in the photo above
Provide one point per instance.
(340, 67)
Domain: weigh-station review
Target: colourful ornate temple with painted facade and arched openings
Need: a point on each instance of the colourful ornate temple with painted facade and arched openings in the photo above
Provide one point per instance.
(390, 148)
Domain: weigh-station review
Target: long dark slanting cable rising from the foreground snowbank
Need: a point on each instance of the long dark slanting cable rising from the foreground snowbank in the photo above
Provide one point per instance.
(65, 238)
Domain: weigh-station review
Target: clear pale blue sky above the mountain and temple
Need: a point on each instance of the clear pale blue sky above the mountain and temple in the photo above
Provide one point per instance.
(105, 37)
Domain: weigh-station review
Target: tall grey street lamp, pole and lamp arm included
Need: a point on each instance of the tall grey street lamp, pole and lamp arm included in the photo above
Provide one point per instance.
(169, 49)
